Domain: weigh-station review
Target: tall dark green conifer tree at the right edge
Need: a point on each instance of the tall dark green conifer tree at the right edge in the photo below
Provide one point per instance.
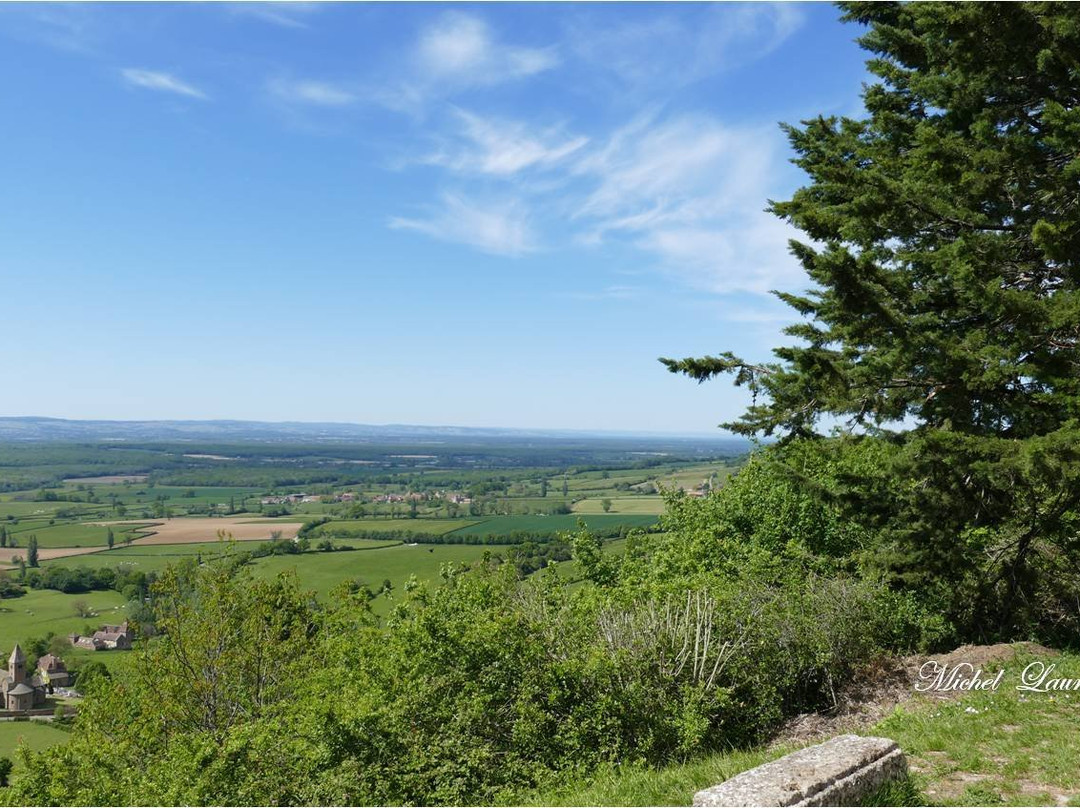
(943, 239)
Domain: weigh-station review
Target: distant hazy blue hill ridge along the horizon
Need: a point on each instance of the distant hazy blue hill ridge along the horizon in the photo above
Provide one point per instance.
(59, 429)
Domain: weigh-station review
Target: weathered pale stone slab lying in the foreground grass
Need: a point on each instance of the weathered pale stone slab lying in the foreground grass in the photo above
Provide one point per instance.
(841, 772)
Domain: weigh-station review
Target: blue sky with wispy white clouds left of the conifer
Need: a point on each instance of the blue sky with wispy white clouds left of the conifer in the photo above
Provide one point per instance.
(444, 214)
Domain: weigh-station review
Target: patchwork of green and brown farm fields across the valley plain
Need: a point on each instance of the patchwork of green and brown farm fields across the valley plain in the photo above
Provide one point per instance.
(166, 506)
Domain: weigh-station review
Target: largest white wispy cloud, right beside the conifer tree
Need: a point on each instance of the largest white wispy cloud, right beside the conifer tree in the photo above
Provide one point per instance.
(691, 192)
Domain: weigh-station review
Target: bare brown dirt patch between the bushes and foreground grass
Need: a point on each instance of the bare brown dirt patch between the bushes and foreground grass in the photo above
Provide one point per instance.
(879, 689)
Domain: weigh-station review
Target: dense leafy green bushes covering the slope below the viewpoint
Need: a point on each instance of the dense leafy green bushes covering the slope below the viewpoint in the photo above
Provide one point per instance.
(487, 686)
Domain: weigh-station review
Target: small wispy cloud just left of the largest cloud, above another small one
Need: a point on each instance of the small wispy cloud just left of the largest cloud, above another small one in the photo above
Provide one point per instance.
(501, 147)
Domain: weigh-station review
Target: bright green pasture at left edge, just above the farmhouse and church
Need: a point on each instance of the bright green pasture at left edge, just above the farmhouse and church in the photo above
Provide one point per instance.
(40, 612)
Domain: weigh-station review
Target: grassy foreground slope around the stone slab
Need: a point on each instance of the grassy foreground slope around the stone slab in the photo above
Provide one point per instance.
(1004, 748)
